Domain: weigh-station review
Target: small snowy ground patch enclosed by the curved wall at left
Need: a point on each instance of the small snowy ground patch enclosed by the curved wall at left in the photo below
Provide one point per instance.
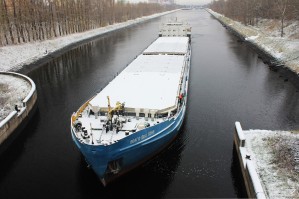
(13, 91)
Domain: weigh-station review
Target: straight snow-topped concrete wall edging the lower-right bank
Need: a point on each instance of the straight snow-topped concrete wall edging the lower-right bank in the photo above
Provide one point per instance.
(251, 179)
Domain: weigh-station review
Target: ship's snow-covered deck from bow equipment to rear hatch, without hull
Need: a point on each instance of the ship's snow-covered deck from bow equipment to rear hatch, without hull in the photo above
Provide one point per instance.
(149, 87)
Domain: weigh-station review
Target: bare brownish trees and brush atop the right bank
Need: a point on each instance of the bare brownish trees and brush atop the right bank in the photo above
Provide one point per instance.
(250, 11)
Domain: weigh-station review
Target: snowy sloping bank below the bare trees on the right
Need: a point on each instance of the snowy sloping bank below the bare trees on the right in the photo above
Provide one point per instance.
(267, 37)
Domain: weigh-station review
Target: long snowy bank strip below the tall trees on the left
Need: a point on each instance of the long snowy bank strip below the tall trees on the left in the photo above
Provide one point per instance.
(14, 57)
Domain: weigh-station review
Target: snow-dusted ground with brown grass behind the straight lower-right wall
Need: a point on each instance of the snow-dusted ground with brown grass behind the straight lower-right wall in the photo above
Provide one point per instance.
(276, 158)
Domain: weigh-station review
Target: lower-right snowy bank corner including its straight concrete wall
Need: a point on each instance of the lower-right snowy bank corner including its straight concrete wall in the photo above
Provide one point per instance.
(269, 162)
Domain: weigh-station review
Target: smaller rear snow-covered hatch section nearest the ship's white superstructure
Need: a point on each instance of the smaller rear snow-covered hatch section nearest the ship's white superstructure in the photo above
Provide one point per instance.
(172, 45)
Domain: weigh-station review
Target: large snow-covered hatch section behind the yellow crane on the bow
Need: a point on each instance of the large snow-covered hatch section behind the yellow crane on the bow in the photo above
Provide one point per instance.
(150, 81)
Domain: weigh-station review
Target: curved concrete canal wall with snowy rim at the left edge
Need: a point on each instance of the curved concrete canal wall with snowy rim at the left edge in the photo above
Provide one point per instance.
(13, 124)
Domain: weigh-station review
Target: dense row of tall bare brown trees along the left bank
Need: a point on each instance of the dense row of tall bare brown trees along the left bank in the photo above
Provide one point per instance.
(24, 21)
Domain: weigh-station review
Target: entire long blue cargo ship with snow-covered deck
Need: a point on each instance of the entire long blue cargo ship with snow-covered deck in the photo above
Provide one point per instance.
(140, 112)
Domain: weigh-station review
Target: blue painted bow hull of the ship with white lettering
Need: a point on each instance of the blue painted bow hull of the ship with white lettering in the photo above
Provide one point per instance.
(132, 150)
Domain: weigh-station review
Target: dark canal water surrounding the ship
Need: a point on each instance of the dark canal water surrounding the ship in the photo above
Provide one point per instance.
(228, 83)
